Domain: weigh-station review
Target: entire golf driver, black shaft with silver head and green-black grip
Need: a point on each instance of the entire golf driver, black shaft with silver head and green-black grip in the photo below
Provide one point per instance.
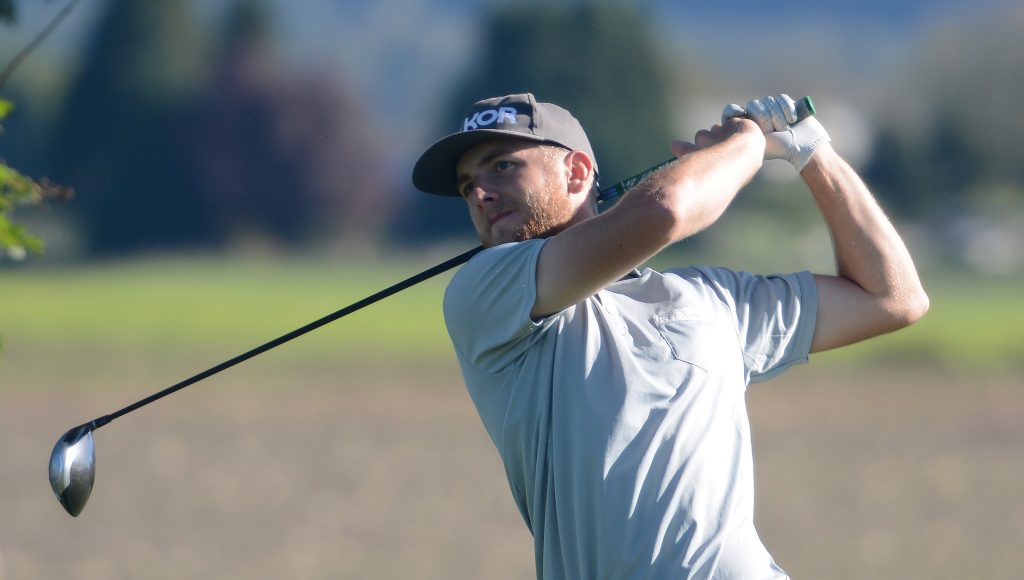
(73, 463)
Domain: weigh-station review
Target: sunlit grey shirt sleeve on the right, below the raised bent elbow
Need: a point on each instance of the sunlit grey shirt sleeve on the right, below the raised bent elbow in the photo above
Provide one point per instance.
(775, 318)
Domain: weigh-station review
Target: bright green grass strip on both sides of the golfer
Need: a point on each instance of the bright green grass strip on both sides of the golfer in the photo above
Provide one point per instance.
(227, 307)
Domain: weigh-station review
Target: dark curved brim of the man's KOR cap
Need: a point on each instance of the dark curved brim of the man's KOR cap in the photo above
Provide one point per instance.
(435, 173)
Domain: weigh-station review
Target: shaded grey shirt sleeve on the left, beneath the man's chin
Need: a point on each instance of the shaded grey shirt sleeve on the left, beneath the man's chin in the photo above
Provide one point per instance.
(488, 305)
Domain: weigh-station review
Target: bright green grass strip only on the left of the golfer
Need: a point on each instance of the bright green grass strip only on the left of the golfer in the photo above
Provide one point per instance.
(209, 306)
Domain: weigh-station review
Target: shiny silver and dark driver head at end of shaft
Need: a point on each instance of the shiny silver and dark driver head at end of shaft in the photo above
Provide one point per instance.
(73, 469)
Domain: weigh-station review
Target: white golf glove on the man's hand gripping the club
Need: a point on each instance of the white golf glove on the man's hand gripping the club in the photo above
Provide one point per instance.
(786, 138)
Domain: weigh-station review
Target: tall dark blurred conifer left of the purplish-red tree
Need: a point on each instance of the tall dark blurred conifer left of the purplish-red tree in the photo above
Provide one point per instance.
(121, 127)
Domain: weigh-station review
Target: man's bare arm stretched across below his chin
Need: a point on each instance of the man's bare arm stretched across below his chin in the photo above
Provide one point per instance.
(676, 202)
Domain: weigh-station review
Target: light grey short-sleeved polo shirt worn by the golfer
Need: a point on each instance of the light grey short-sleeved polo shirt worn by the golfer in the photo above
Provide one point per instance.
(622, 421)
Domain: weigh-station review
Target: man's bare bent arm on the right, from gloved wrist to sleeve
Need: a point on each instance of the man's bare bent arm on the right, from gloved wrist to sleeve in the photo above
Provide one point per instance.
(877, 289)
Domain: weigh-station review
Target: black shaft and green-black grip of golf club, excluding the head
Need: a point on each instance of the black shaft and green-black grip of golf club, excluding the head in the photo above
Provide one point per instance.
(606, 198)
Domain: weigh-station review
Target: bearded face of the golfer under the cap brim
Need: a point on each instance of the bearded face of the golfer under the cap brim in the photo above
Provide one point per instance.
(516, 190)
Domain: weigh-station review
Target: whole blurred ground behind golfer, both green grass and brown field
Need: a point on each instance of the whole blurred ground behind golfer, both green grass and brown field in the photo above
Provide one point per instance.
(355, 452)
